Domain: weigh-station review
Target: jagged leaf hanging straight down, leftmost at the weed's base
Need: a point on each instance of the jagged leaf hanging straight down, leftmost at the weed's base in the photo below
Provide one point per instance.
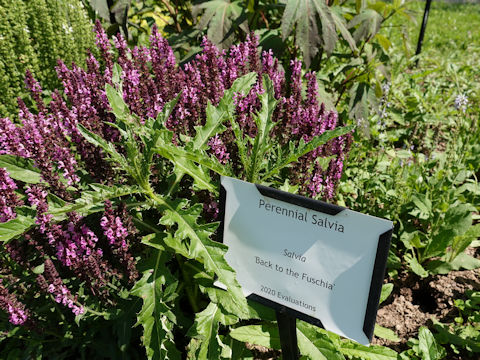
(156, 316)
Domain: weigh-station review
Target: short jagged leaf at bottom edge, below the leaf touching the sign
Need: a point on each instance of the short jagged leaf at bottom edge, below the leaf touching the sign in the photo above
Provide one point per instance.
(206, 328)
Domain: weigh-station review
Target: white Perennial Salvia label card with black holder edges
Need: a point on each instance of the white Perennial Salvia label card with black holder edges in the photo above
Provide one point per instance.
(322, 263)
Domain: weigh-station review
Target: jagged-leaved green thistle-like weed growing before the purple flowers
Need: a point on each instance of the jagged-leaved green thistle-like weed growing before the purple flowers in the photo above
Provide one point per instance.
(183, 235)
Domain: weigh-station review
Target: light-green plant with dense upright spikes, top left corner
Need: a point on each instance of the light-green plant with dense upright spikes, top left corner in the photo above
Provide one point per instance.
(33, 35)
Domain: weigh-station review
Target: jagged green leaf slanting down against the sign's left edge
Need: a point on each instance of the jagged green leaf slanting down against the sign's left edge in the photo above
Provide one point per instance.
(200, 247)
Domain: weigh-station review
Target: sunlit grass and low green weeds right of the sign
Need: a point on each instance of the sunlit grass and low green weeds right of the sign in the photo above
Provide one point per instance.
(420, 164)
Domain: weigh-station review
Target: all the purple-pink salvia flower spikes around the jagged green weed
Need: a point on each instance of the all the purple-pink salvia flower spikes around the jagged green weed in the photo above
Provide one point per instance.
(98, 250)
